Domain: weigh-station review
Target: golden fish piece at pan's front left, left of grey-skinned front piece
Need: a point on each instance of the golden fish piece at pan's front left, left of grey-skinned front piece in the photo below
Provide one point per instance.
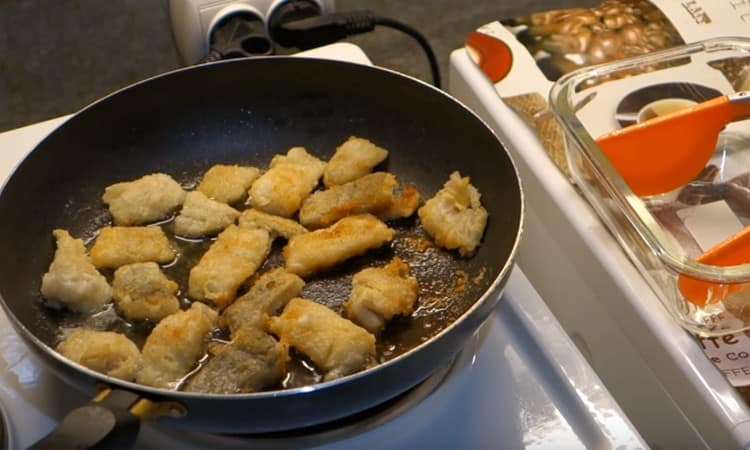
(175, 345)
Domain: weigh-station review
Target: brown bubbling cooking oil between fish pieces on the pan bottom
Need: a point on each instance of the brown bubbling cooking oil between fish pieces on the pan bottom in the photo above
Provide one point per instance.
(448, 286)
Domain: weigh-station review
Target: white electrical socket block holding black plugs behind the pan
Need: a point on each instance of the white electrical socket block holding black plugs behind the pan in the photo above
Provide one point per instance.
(194, 20)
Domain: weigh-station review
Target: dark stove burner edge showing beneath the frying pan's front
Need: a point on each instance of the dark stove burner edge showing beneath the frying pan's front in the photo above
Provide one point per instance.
(318, 434)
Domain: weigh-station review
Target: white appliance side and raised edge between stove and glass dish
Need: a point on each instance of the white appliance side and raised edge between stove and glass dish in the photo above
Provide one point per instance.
(656, 370)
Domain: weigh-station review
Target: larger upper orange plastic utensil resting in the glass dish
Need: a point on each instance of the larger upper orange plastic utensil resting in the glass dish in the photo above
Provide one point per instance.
(668, 151)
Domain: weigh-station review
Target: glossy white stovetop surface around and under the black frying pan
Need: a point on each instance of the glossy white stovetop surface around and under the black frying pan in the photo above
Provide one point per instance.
(520, 383)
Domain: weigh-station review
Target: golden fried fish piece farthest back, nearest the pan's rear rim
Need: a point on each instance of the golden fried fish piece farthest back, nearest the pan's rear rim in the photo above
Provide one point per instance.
(355, 158)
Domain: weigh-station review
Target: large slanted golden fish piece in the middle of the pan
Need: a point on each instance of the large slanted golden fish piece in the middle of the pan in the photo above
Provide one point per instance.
(235, 255)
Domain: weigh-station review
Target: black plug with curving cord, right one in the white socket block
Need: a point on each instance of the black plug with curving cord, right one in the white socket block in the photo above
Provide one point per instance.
(304, 29)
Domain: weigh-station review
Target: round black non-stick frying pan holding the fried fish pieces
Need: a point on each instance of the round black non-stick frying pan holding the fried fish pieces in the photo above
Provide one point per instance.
(244, 111)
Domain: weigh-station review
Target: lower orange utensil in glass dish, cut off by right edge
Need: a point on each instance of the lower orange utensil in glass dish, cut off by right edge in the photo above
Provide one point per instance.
(732, 251)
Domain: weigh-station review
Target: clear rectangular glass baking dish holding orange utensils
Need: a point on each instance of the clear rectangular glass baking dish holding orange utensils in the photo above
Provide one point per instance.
(691, 242)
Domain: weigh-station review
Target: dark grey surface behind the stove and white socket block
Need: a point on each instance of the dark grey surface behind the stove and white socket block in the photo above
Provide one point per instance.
(60, 56)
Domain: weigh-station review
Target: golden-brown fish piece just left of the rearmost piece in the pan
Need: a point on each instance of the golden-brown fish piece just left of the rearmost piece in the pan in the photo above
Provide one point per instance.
(290, 179)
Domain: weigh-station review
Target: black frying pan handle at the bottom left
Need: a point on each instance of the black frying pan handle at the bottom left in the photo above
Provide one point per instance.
(107, 421)
